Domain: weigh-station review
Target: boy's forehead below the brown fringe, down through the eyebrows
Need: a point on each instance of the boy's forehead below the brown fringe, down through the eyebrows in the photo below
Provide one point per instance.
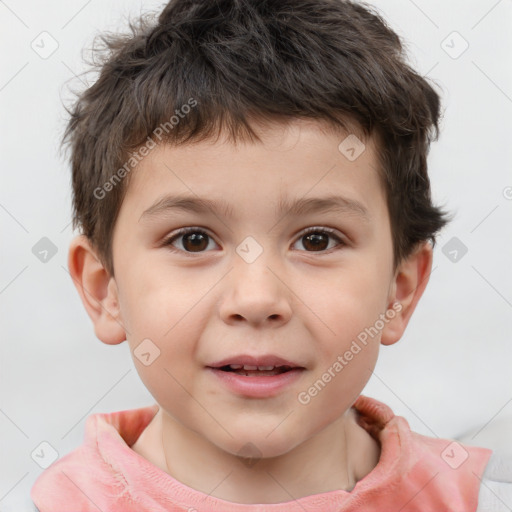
(300, 167)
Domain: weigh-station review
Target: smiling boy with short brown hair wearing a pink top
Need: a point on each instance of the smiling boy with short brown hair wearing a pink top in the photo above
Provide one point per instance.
(217, 149)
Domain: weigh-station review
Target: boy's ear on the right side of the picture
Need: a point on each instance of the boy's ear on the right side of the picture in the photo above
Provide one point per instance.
(409, 283)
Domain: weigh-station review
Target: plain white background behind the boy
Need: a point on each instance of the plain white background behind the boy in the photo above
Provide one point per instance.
(450, 373)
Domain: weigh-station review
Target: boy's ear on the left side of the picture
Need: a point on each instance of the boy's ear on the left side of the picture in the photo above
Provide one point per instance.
(97, 290)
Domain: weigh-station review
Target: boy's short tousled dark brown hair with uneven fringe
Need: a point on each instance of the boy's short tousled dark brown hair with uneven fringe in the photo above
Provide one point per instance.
(239, 60)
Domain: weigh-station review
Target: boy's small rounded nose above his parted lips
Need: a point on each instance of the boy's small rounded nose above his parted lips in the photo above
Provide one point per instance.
(257, 294)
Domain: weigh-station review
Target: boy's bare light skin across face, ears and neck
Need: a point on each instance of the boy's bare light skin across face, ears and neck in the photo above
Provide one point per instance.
(292, 301)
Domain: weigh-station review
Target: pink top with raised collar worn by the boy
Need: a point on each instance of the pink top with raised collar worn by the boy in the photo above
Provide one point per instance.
(415, 473)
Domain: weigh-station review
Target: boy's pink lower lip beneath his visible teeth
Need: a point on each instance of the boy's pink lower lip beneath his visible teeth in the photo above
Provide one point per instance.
(258, 387)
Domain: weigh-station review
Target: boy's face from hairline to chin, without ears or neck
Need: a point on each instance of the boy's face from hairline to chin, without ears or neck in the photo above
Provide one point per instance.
(227, 299)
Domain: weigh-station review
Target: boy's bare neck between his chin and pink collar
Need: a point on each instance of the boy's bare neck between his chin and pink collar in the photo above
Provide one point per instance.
(333, 459)
